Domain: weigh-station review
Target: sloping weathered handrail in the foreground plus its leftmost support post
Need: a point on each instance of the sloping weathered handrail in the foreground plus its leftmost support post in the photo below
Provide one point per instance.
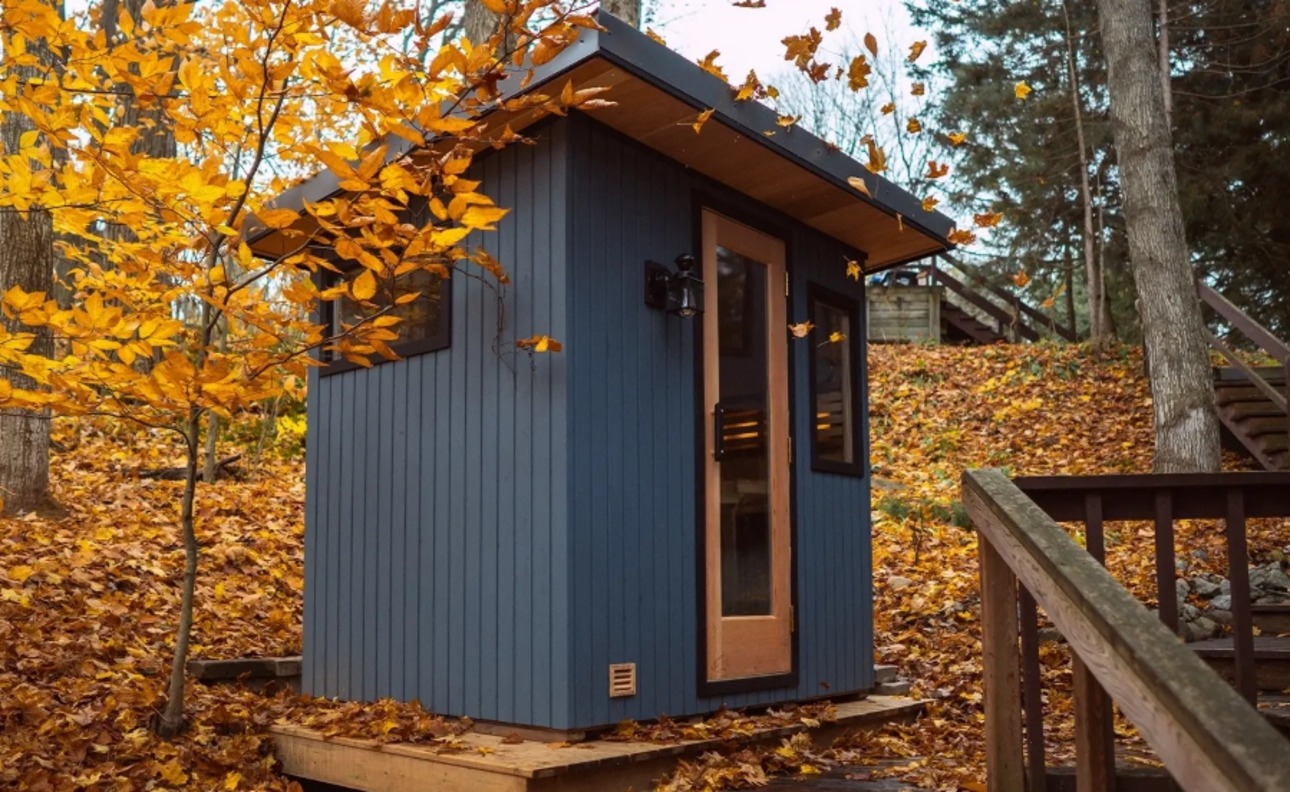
(1207, 736)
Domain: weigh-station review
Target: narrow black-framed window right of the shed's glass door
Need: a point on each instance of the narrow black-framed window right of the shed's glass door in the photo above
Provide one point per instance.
(837, 441)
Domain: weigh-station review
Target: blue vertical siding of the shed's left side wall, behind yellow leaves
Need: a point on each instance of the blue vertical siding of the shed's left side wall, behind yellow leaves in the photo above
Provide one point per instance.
(437, 501)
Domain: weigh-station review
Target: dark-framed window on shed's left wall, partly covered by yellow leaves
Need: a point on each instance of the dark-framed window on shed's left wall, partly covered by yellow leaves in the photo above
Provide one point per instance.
(426, 324)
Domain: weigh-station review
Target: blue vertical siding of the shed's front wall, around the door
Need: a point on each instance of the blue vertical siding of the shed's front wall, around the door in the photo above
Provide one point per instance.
(633, 453)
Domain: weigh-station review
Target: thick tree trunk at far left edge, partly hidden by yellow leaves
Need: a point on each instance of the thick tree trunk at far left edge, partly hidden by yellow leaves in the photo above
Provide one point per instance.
(26, 261)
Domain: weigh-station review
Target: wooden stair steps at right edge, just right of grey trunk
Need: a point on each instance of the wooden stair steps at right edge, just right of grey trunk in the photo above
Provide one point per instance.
(1260, 426)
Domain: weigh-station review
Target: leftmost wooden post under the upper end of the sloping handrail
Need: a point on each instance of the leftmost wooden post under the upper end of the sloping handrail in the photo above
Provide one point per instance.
(1004, 768)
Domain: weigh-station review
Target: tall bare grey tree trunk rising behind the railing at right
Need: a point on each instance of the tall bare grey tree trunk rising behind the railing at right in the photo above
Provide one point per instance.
(1182, 384)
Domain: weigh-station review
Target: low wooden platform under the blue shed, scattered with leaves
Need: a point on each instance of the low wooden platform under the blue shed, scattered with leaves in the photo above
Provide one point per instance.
(491, 766)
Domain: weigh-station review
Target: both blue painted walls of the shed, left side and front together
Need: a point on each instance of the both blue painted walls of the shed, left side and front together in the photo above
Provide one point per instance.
(490, 533)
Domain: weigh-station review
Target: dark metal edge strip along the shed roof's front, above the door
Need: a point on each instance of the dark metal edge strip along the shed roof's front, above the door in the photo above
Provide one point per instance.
(675, 74)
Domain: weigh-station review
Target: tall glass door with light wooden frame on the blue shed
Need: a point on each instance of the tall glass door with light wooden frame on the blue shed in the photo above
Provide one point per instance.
(748, 459)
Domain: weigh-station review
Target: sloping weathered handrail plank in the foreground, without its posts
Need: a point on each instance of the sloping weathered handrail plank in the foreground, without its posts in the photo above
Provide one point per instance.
(1180, 706)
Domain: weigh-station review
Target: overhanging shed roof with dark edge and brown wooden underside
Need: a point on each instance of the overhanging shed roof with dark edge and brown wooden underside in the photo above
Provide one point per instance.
(659, 95)
